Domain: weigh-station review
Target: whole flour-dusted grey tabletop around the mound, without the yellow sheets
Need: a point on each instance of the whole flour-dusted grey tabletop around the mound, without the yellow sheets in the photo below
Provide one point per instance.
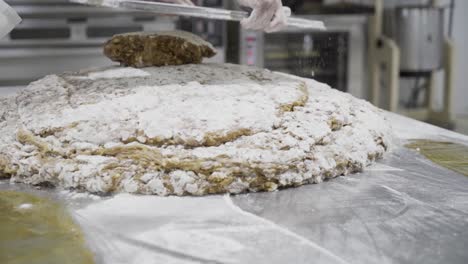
(405, 209)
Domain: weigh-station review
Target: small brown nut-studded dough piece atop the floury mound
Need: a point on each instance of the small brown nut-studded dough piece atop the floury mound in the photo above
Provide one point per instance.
(143, 49)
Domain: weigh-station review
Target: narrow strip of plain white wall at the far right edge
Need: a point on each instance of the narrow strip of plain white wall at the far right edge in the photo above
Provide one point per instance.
(460, 35)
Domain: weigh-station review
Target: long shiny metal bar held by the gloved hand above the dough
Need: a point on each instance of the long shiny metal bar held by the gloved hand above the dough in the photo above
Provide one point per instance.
(196, 11)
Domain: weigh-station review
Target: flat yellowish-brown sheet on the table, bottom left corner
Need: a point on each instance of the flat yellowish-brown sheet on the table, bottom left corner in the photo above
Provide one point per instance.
(38, 230)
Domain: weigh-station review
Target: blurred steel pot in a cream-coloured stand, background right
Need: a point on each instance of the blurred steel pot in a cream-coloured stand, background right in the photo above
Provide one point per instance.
(410, 43)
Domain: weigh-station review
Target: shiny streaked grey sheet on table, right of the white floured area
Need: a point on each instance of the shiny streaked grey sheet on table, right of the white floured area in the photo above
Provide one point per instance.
(405, 211)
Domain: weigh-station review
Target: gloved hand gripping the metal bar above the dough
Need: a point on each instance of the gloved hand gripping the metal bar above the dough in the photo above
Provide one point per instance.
(267, 15)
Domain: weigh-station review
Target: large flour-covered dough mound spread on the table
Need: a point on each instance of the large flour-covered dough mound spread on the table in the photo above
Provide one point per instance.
(191, 129)
